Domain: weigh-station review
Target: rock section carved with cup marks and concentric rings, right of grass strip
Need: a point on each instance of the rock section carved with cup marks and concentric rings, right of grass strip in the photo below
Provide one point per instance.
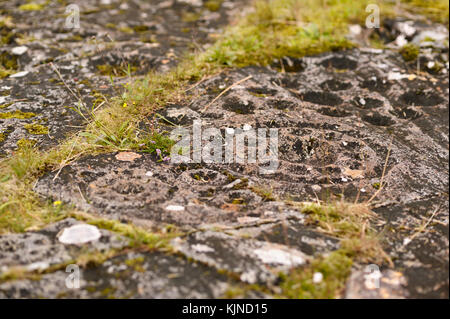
(339, 118)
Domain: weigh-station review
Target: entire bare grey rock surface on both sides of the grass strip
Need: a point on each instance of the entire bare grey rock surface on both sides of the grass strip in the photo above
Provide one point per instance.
(340, 117)
